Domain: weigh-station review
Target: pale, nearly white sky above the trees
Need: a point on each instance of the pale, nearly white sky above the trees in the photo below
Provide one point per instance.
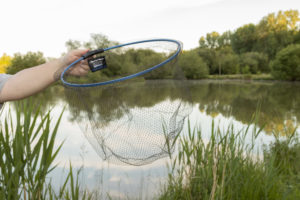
(45, 25)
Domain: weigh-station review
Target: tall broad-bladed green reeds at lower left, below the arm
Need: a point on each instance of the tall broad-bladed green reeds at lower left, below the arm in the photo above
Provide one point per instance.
(27, 154)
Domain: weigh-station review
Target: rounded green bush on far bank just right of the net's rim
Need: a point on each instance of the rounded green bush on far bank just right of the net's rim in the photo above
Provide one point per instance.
(193, 66)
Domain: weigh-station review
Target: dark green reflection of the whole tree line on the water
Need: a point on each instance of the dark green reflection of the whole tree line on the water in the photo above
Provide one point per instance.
(280, 102)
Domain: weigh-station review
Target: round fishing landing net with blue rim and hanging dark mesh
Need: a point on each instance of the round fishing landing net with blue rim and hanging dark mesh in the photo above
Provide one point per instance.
(133, 120)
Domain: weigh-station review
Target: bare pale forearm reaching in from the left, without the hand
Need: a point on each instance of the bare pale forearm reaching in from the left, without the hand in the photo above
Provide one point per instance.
(30, 81)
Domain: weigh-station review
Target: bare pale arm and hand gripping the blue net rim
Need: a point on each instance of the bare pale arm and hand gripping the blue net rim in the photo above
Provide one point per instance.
(35, 79)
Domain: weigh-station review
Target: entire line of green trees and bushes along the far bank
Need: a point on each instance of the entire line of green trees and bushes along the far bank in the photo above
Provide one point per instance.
(271, 46)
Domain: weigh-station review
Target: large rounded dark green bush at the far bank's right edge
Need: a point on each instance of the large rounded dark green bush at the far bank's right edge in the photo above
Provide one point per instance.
(286, 65)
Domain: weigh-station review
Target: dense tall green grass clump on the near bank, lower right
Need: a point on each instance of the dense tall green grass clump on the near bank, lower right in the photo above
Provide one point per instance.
(226, 167)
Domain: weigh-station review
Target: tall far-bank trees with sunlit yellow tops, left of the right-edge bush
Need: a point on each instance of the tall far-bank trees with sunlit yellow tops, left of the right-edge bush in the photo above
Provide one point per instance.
(255, 43)
